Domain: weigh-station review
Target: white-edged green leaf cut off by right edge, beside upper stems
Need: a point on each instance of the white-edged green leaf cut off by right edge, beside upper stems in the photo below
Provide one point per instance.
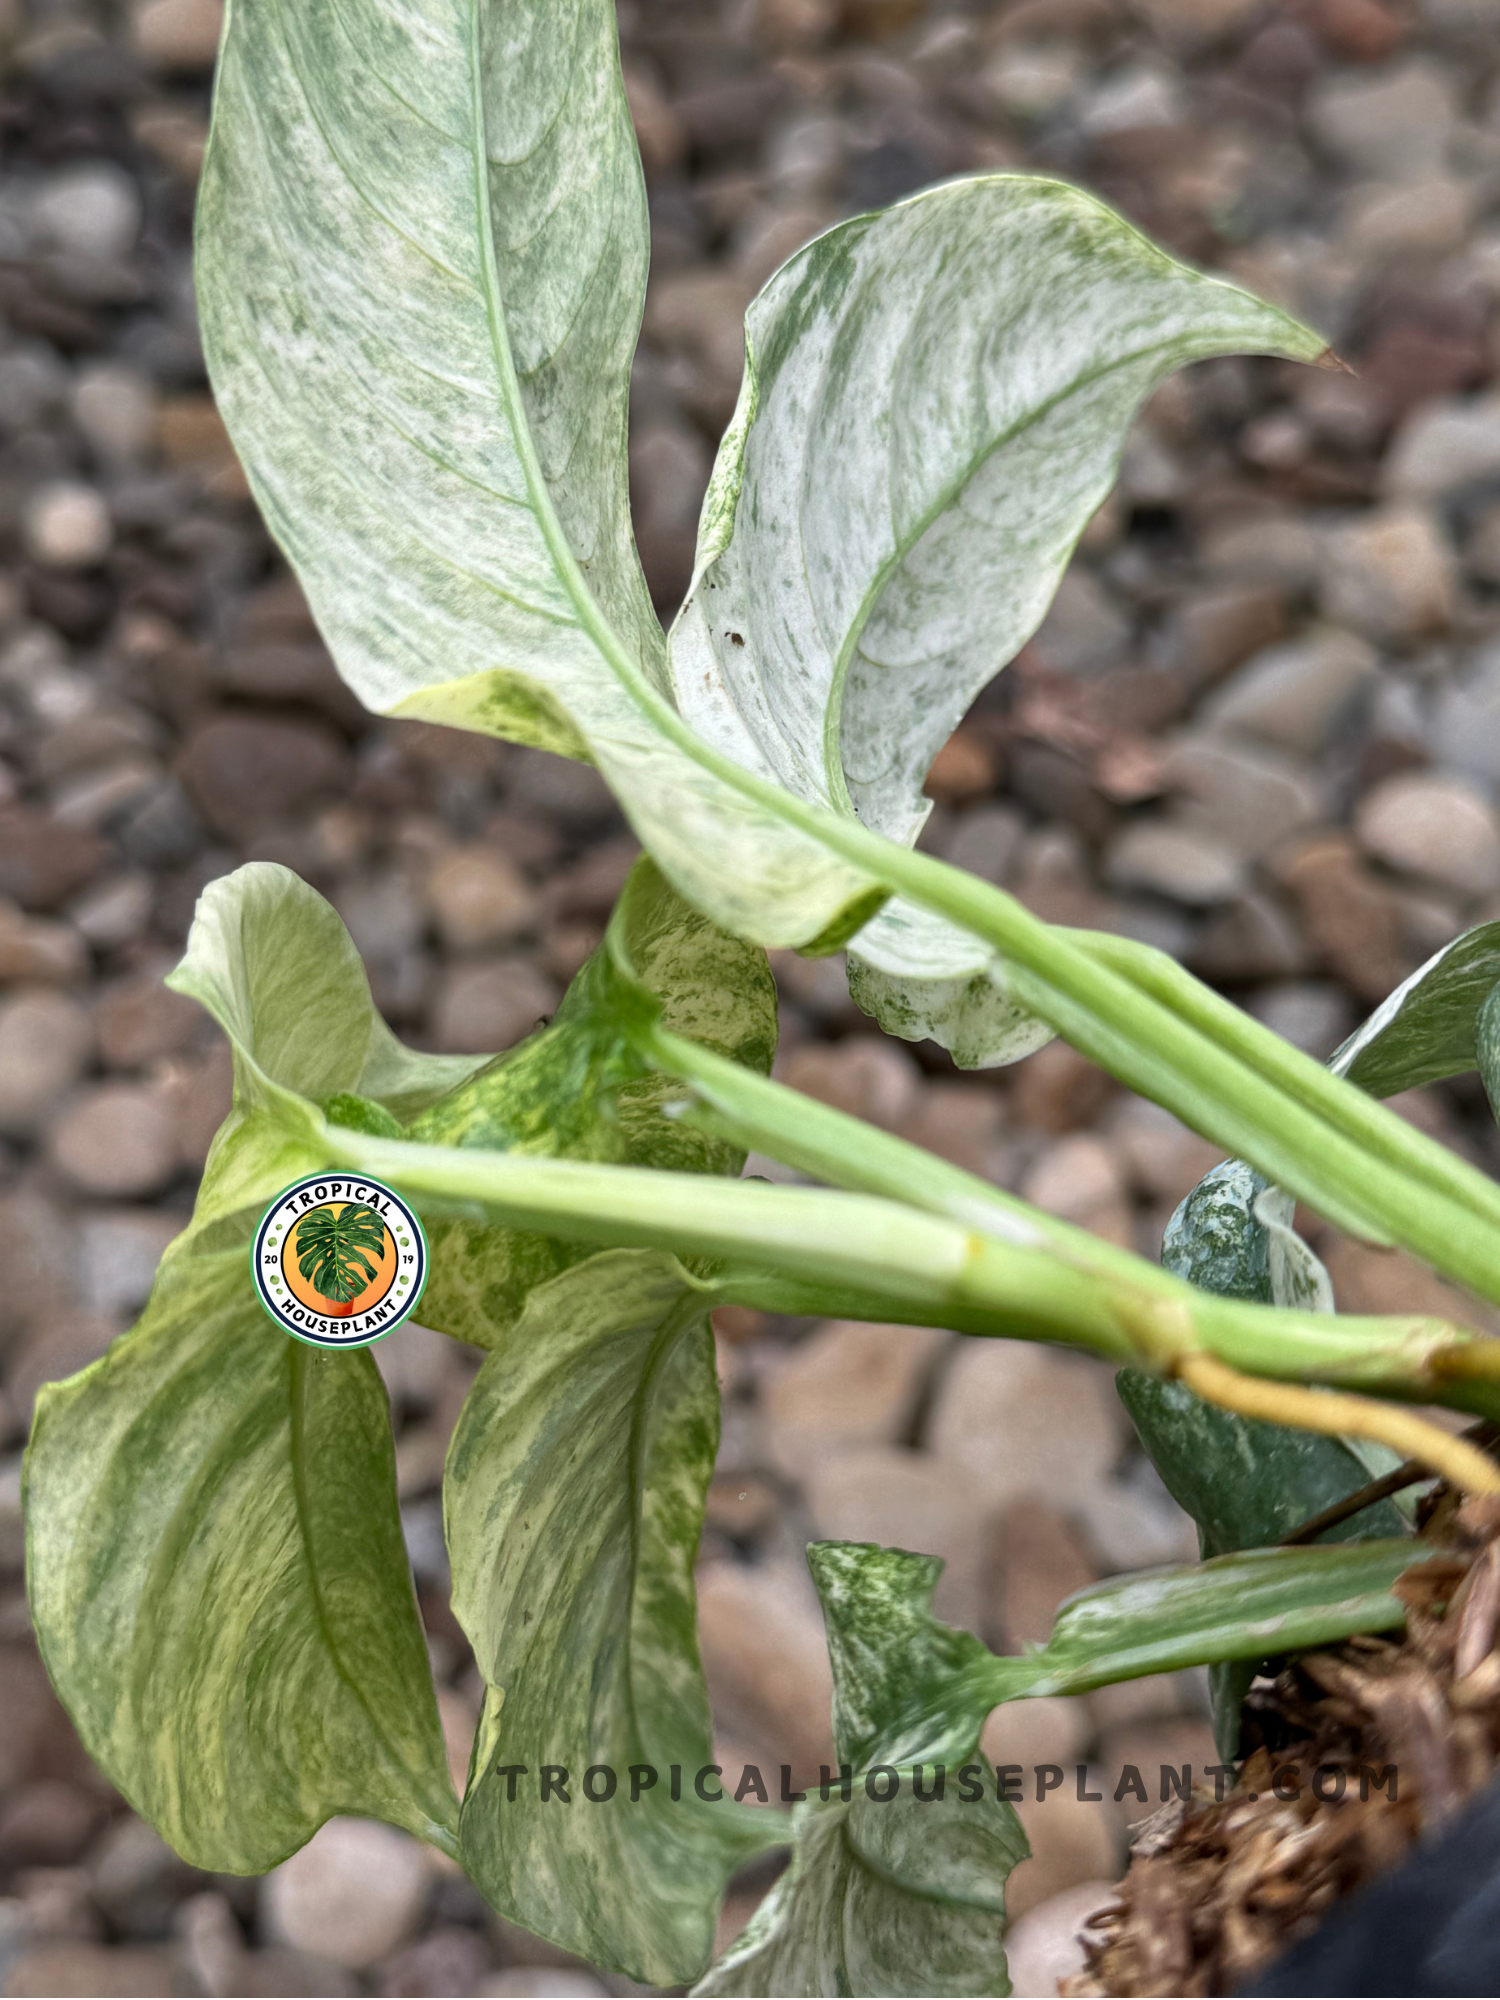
(1429, 1027)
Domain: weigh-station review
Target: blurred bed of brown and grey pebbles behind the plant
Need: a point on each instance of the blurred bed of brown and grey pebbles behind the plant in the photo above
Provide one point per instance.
(1259, 729)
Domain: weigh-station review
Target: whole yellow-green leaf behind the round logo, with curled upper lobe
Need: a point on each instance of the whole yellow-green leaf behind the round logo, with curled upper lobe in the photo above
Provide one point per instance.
(215, 1557)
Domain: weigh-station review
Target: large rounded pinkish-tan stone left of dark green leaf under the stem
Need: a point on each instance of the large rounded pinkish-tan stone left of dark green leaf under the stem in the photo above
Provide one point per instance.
(1027, 1421)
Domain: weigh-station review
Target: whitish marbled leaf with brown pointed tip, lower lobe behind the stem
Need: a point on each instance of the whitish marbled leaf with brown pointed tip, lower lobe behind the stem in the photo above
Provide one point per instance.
(935, 405)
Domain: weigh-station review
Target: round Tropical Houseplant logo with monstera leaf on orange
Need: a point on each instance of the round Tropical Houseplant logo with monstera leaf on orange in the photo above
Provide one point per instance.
(339, 1261)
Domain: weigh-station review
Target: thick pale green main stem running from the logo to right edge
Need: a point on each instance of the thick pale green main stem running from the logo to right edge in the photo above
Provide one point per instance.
(827, 1251)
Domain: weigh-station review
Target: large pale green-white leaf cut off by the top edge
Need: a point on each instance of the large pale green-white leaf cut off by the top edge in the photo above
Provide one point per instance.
(421, 269)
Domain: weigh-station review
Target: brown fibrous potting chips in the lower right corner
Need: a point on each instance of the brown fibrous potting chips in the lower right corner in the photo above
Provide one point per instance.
(1219, 1889)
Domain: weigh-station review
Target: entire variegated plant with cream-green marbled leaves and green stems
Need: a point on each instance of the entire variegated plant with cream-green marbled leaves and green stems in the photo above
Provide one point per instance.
(421, 269)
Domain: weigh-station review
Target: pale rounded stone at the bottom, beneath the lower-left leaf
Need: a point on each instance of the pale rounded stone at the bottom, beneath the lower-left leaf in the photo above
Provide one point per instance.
(351, 1895)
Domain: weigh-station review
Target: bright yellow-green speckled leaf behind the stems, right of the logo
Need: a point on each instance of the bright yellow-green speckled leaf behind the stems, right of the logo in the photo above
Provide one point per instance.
(575, 1091)
